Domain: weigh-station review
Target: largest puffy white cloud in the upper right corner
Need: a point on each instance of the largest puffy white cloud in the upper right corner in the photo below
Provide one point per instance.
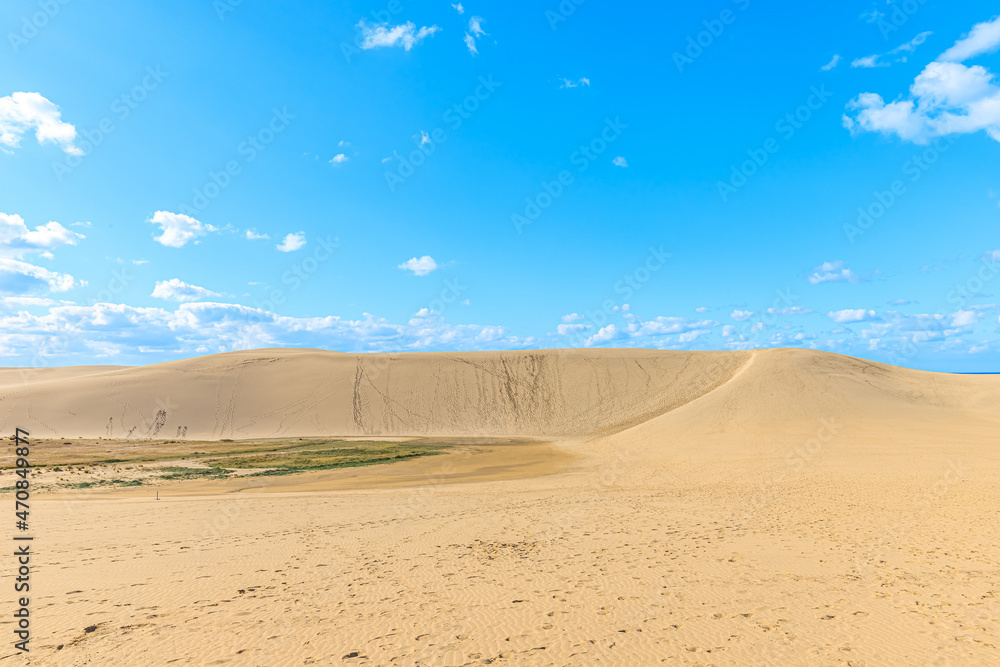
(946, 98)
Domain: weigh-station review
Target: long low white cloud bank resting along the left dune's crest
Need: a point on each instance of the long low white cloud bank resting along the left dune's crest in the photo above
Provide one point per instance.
(140, 334)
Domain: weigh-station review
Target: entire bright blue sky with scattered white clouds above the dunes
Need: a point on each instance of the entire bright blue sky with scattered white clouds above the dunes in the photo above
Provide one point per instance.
(402, 176)
